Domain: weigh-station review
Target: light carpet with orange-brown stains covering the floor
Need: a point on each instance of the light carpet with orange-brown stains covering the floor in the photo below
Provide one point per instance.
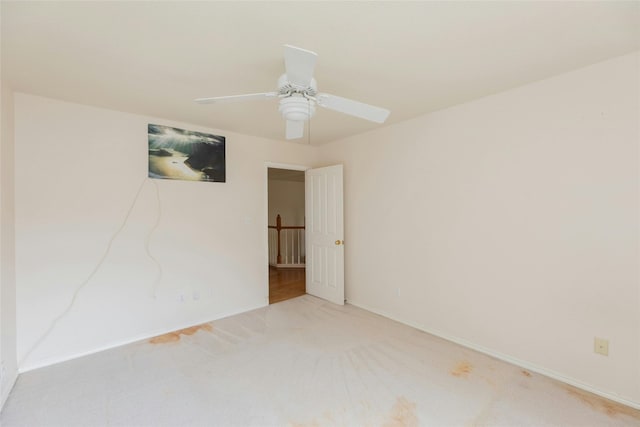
(300, 362)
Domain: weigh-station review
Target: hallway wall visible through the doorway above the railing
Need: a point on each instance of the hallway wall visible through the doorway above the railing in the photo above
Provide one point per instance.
(286, 198)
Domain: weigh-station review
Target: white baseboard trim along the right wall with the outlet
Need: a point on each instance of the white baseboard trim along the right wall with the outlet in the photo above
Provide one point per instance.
(504, 357)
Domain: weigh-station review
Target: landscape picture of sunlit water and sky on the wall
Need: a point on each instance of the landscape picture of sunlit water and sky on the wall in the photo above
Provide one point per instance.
(185, 155)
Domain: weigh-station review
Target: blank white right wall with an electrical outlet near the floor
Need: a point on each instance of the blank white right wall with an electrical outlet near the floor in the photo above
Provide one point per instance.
(509, 223)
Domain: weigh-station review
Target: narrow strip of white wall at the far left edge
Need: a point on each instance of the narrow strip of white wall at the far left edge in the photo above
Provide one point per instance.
(8, 363)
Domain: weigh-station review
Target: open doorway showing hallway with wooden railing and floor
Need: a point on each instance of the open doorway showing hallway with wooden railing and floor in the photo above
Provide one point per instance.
(286, 228)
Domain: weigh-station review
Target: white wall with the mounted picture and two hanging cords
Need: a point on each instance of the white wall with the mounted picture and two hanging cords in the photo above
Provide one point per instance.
(78, 169)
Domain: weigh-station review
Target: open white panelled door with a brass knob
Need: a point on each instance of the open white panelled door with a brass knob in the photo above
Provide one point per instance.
(325, 233)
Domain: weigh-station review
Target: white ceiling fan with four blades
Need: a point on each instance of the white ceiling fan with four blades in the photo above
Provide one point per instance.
(298, 95)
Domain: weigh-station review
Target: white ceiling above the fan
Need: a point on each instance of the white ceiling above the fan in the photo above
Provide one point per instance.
(154, 58)
